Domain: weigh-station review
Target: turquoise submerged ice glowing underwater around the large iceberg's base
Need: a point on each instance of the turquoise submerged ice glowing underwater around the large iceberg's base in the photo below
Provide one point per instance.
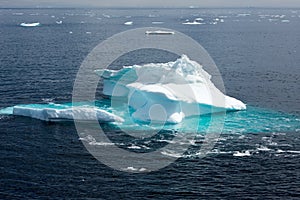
(252, 120)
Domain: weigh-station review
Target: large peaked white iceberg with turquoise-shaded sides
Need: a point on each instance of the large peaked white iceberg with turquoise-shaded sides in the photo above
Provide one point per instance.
(167, 92)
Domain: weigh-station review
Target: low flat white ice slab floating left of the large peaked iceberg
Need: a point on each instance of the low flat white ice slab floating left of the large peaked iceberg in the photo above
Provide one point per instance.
(57, 112)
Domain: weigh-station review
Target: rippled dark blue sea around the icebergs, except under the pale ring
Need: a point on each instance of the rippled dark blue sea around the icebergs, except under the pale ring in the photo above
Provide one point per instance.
(257, 52)
